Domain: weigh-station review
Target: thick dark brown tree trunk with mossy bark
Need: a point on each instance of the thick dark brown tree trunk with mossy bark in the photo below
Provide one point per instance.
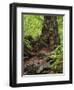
(50, 32)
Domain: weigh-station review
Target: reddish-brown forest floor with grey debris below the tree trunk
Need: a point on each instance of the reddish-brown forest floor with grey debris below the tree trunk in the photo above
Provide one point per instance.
(39, 63)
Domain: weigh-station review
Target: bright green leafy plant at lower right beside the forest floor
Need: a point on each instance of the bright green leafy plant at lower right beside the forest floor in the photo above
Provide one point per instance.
(57, 56)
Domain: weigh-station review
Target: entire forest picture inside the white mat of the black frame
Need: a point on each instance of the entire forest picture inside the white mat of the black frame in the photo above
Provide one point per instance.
(43, 44)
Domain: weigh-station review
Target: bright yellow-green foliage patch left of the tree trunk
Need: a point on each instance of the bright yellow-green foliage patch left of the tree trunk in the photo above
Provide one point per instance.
(32, 25)
